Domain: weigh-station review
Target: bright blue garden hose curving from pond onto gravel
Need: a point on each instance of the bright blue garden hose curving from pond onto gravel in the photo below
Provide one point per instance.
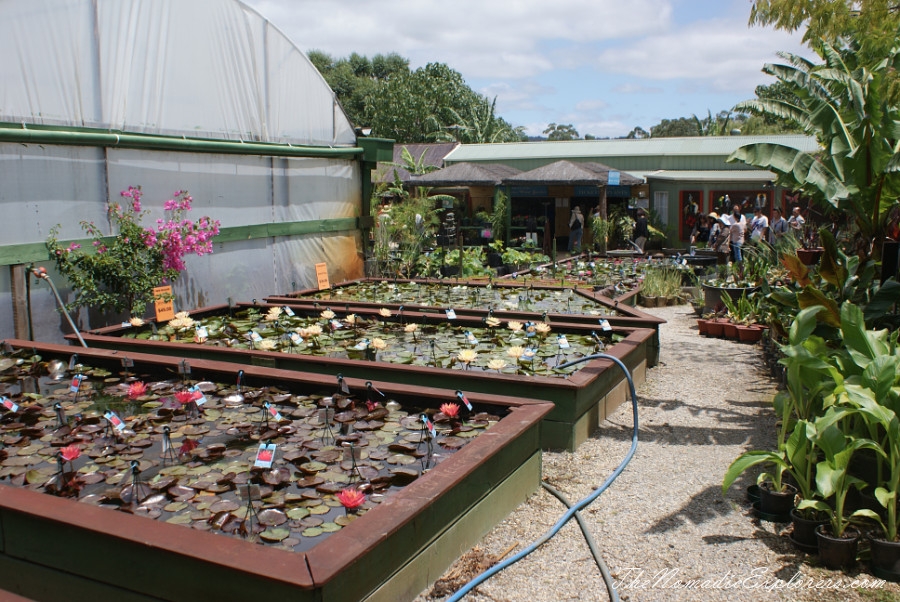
(580, 505)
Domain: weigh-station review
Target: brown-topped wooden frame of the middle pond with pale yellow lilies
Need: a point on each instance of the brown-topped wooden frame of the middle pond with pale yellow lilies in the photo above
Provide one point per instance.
(582, 400)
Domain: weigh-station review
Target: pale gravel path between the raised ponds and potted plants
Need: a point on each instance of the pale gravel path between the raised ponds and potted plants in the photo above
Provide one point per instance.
(664, 521)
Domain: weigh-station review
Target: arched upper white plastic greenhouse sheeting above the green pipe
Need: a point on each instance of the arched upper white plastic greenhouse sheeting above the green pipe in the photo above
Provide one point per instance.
(202, 68)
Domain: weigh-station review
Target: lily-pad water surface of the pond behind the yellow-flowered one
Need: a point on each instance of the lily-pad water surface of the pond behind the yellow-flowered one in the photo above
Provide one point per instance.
(493, 297)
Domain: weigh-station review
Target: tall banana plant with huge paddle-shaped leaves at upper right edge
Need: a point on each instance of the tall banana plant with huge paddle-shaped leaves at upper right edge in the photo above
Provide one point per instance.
(844, 103)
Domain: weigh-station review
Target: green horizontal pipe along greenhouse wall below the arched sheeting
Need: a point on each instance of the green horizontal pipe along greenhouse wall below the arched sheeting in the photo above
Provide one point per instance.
(171, 143)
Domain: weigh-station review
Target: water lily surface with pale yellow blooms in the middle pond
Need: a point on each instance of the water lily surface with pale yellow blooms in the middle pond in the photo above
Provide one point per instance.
(499, 346)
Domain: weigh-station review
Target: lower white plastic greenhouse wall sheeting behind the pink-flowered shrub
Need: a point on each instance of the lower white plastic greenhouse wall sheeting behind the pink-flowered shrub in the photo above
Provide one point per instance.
(45, 185)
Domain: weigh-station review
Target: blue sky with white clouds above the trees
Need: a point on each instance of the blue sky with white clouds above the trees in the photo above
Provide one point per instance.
(604, 66)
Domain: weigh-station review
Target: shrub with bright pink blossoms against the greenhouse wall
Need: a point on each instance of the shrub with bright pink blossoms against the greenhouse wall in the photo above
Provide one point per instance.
(121, 271)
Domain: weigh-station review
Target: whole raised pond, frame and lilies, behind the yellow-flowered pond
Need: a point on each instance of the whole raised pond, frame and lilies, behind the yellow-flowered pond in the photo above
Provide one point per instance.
(521, 300)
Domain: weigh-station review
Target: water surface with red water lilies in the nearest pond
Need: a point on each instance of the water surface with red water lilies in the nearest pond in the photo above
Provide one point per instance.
(264, 463)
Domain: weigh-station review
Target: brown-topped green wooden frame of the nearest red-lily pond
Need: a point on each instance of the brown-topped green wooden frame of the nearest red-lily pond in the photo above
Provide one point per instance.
(58, 549)
